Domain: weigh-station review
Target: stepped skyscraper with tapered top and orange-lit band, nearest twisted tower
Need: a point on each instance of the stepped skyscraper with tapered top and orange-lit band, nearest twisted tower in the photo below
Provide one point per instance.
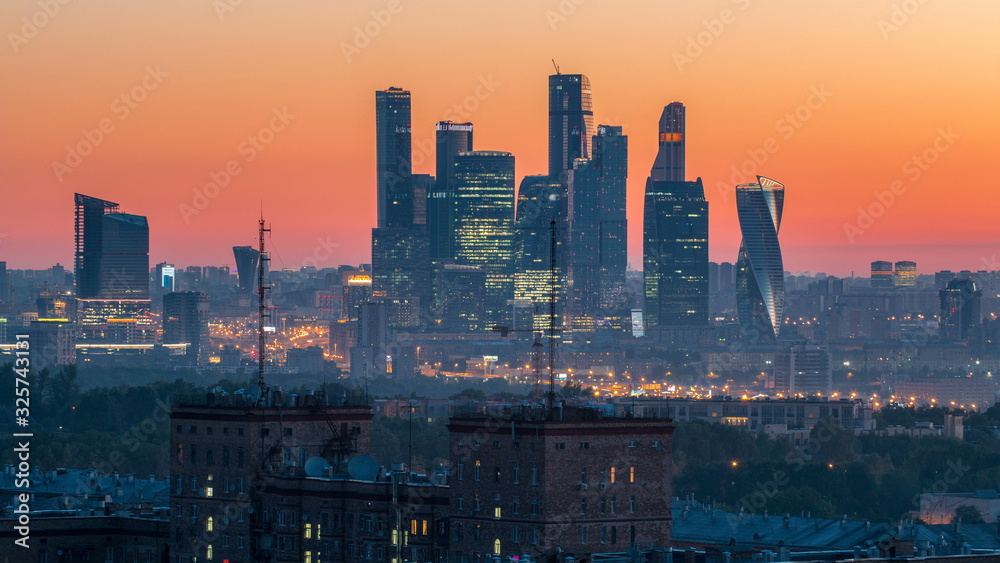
(675, 234)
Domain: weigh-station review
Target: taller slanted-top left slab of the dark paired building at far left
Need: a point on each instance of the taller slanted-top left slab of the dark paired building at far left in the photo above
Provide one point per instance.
(88, 228)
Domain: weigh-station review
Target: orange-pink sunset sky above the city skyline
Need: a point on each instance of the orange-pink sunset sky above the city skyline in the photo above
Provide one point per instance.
(220, 74)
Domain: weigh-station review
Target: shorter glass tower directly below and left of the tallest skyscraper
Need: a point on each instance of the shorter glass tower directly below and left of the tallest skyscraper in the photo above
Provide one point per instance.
(541, 204)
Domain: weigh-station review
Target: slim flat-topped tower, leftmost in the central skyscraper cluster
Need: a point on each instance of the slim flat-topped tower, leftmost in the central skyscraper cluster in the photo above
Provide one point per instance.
(393, 155)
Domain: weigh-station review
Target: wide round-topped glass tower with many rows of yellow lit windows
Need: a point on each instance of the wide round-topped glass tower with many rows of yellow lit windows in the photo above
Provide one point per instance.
(484, 225)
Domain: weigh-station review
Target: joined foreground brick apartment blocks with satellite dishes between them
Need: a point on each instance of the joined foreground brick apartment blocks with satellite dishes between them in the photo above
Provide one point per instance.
(292, 481)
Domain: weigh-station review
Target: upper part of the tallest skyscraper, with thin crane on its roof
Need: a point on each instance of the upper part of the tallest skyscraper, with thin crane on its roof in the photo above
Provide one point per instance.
(571, 121)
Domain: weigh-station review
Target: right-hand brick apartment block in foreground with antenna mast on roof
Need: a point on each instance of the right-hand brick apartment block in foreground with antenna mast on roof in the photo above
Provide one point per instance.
(529, 480)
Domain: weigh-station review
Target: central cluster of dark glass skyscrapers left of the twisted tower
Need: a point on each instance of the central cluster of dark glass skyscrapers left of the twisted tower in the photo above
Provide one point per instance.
(553, 252)
